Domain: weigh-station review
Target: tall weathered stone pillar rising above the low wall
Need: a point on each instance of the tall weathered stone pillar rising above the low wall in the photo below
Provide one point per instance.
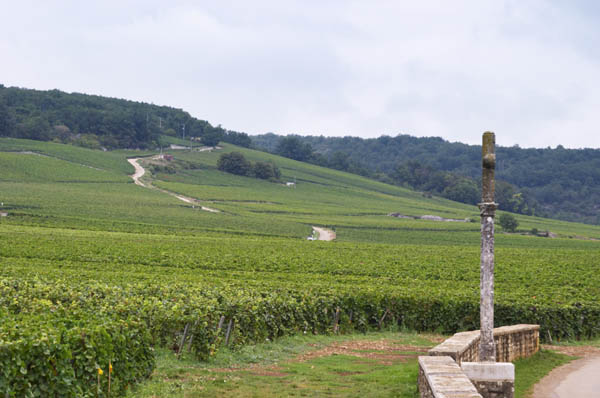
(487, 207)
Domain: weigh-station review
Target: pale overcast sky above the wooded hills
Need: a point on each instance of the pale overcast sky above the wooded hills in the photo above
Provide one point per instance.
(528, 70)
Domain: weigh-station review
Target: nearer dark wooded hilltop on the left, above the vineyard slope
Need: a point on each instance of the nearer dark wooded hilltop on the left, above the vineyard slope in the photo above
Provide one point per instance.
(100, 122)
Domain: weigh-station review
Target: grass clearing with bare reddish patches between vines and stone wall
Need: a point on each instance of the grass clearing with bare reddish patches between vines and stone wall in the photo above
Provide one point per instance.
(296, 366)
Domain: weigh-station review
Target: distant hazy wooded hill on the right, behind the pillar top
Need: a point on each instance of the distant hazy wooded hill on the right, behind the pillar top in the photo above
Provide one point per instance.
(559, 183)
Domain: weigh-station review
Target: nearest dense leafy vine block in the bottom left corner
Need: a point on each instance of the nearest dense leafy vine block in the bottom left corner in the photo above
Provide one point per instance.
(59, 354)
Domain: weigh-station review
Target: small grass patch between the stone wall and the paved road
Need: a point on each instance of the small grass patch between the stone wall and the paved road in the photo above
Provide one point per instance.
(529, 371)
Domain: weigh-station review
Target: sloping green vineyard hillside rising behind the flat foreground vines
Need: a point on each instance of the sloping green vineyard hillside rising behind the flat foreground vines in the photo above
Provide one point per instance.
(356, 206)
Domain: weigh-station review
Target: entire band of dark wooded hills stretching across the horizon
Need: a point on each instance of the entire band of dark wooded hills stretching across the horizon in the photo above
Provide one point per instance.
(559, 183)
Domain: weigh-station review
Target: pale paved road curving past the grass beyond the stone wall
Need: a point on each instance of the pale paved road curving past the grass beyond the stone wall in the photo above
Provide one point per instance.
(577, 379)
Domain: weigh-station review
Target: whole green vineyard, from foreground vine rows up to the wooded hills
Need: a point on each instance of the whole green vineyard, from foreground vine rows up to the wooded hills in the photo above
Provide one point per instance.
(96, 272)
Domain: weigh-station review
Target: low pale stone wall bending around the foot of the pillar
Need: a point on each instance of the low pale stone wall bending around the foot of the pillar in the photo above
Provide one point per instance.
(440, 373)
